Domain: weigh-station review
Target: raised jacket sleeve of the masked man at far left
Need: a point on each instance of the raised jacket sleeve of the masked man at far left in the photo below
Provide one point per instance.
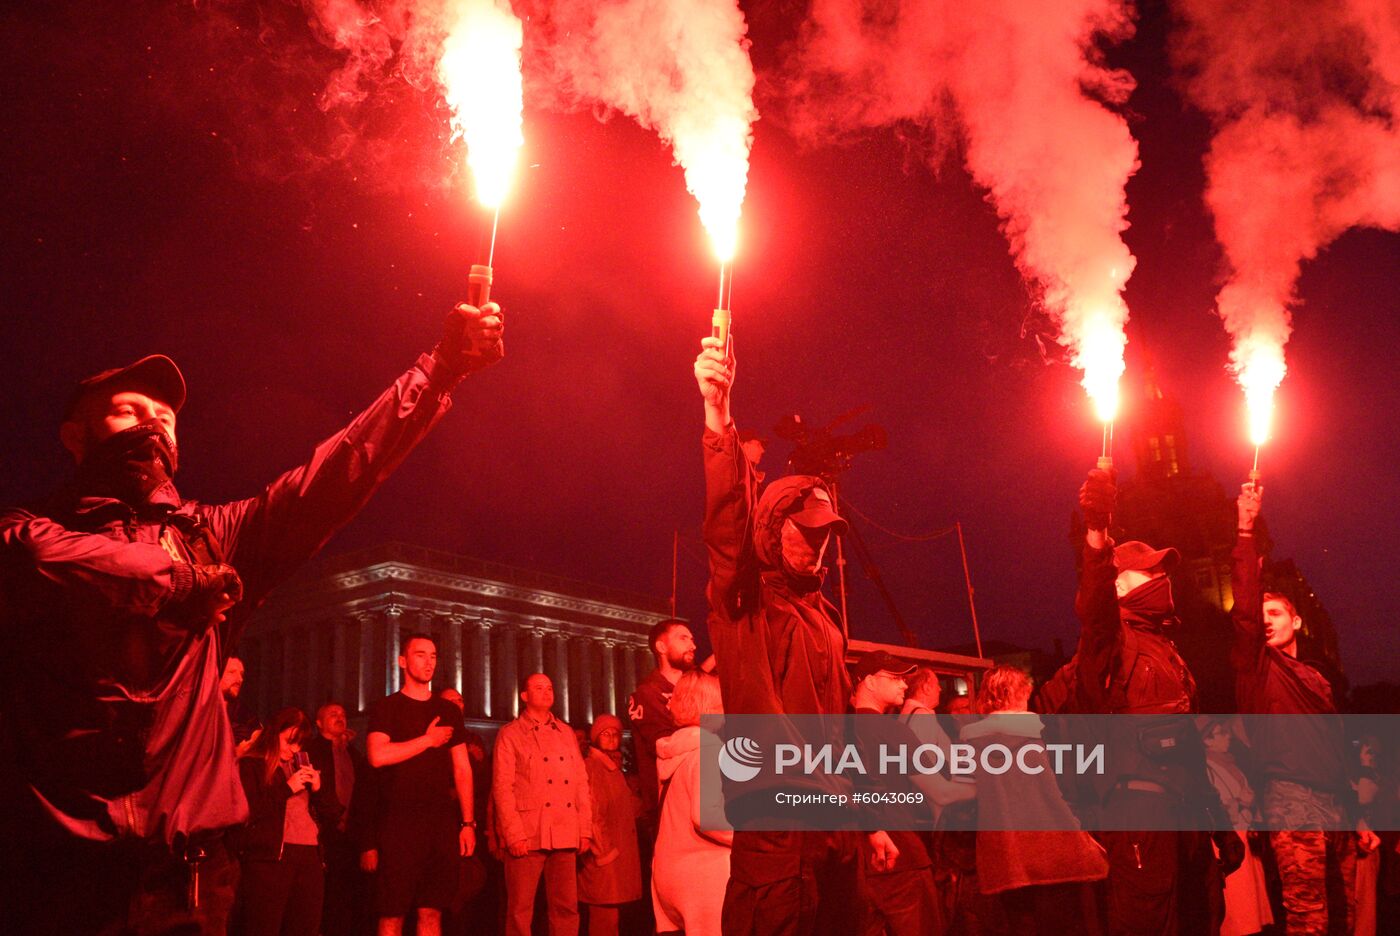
(265, 538)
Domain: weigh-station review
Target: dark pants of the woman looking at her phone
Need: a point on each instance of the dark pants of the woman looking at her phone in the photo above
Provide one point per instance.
(283, 898)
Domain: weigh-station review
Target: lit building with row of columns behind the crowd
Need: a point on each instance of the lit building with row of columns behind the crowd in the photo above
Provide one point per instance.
(334, 633)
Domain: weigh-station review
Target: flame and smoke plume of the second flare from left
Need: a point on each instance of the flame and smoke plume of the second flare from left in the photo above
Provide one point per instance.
(682, 69)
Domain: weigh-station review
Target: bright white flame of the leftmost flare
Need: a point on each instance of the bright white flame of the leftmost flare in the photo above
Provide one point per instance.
(481, 75)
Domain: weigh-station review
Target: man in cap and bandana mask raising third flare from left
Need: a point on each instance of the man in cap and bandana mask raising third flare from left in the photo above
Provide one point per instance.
(1163, 881)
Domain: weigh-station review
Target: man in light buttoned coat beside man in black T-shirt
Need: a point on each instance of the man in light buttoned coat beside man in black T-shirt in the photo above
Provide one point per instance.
(544, 815)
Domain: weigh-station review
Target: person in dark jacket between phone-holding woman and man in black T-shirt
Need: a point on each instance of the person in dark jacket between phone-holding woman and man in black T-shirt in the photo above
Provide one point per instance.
(348, 776)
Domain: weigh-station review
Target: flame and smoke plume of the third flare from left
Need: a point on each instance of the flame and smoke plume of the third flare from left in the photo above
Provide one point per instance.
(1025, 85)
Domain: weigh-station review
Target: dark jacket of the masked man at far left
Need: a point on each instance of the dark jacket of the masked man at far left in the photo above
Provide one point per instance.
(113, 720)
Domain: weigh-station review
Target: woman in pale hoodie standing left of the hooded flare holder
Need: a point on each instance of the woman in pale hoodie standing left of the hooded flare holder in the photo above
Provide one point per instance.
(691, 868)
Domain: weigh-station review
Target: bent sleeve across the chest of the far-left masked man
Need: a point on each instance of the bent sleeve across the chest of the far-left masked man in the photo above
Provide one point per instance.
(139, 579)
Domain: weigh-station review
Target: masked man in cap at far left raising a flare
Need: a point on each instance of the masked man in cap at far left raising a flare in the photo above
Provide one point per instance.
(120, 605)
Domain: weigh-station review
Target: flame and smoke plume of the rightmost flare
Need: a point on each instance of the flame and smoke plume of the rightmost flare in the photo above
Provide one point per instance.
(1304, 97)
